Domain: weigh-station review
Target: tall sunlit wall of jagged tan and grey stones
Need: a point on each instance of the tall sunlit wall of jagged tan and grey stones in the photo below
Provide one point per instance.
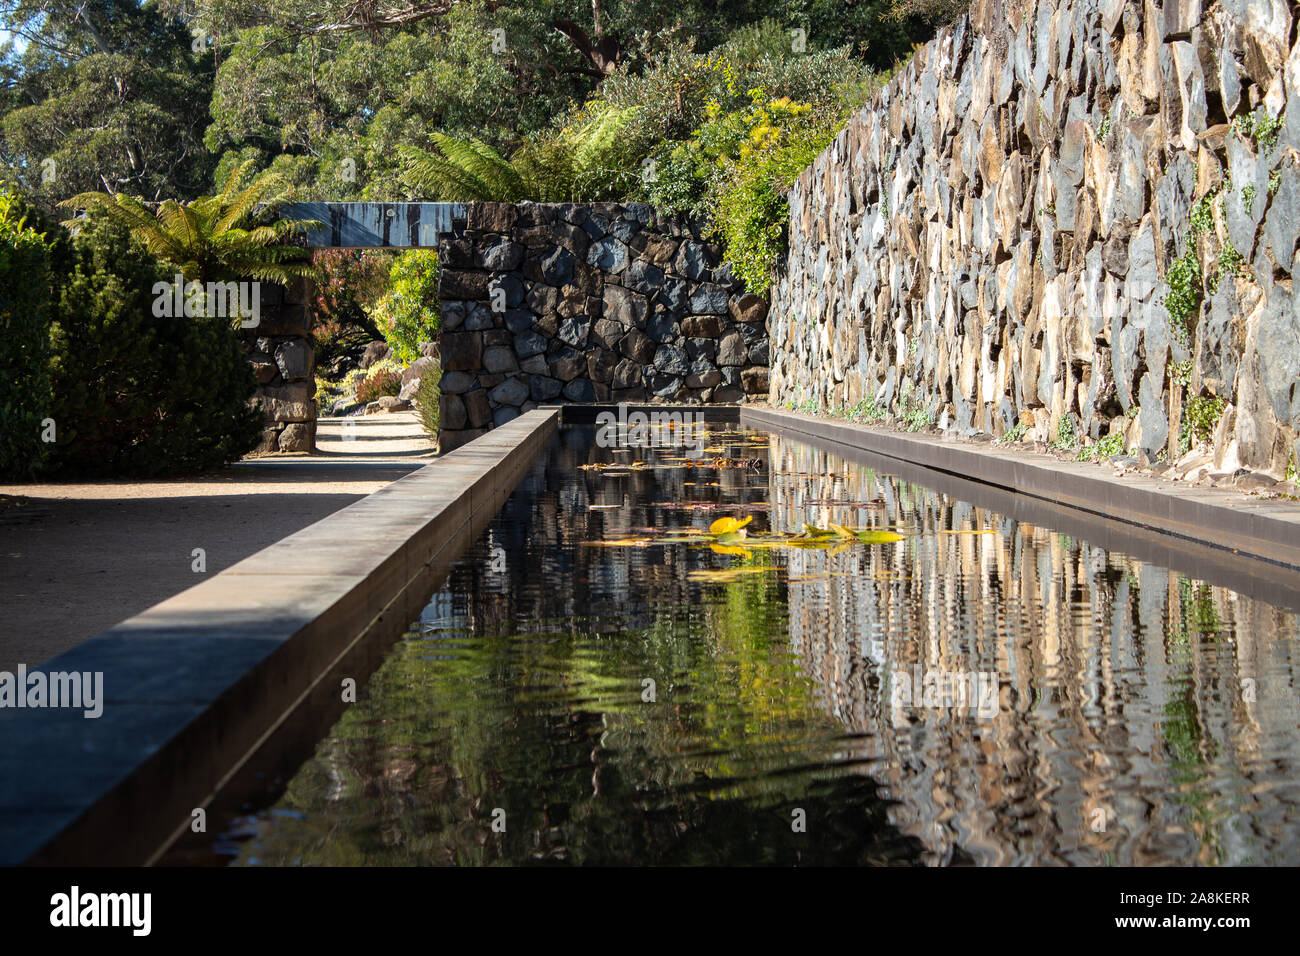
(993, 241)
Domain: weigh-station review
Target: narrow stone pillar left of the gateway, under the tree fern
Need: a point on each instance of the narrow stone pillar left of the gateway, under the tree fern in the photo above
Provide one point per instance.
(284, 362)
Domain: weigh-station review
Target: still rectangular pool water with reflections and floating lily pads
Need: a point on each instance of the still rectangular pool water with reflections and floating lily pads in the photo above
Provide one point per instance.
(601, 682)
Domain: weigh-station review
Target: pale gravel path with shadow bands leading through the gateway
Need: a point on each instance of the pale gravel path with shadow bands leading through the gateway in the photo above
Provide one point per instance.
(79, 559)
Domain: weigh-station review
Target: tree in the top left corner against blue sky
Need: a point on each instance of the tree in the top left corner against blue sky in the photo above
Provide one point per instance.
(102, 94)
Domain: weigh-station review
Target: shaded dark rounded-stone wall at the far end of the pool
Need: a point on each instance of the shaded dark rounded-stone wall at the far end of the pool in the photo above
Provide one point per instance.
(549, 304)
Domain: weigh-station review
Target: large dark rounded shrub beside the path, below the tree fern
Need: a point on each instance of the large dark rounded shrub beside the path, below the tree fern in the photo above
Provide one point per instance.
(133, 393)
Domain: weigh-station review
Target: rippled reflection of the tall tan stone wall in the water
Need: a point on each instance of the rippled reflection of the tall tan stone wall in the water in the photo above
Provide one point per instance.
(1121, 685)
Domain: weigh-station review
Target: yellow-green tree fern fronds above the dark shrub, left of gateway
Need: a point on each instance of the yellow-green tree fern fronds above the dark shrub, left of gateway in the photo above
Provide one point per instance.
(231, 236)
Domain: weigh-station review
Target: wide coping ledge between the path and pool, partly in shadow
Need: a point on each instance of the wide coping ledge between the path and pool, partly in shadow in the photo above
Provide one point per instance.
(197, 684)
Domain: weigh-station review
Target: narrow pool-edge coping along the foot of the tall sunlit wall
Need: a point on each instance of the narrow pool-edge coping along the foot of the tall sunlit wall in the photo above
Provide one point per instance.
(1258, 530)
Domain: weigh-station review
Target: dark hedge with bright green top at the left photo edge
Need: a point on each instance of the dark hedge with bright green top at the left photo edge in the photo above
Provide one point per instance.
(24, 340)
